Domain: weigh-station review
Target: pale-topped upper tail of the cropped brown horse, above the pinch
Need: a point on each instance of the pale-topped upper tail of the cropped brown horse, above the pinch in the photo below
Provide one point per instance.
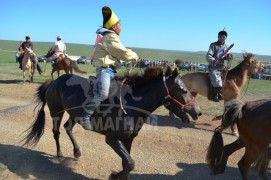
(232, 112)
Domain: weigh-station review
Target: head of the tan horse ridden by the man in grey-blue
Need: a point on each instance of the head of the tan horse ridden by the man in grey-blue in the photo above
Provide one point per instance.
(253, 64)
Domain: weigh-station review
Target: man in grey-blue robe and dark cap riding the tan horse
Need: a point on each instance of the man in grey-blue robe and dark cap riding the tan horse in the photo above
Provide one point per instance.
(215, 66)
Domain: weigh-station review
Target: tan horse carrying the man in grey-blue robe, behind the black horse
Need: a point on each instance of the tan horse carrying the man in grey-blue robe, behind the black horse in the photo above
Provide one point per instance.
(198, 83)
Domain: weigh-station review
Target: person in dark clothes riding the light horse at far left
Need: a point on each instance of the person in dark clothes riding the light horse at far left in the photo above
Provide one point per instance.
(23, 46)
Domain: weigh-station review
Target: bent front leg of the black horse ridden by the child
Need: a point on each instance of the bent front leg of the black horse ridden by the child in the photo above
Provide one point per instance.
(127, 161)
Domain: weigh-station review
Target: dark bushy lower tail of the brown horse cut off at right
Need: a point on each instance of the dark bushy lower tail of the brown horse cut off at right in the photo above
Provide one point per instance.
(215, 150)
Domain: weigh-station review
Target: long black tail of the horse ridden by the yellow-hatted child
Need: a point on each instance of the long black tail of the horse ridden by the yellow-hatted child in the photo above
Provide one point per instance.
(37, 128)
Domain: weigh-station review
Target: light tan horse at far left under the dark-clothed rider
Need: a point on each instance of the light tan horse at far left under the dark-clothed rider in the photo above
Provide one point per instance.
(27, 64)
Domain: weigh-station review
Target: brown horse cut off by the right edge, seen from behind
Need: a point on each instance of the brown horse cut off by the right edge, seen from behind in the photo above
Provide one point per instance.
(253, 119)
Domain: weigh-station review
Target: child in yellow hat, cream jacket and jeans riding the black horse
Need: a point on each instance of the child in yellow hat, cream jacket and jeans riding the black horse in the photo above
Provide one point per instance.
(108, 51)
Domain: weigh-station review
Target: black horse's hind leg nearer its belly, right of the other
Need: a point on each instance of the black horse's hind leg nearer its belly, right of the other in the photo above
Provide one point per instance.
(69, 126)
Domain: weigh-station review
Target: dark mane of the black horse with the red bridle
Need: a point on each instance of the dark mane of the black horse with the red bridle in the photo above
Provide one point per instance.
(138, 80)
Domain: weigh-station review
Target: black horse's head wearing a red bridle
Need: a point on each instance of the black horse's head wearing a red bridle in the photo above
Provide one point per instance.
(179, 100)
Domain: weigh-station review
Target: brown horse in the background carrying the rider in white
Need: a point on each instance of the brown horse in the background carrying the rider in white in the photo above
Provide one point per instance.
(63, 63)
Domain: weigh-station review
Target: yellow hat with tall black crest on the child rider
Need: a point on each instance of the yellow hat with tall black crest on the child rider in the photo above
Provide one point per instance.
(109, 17)
